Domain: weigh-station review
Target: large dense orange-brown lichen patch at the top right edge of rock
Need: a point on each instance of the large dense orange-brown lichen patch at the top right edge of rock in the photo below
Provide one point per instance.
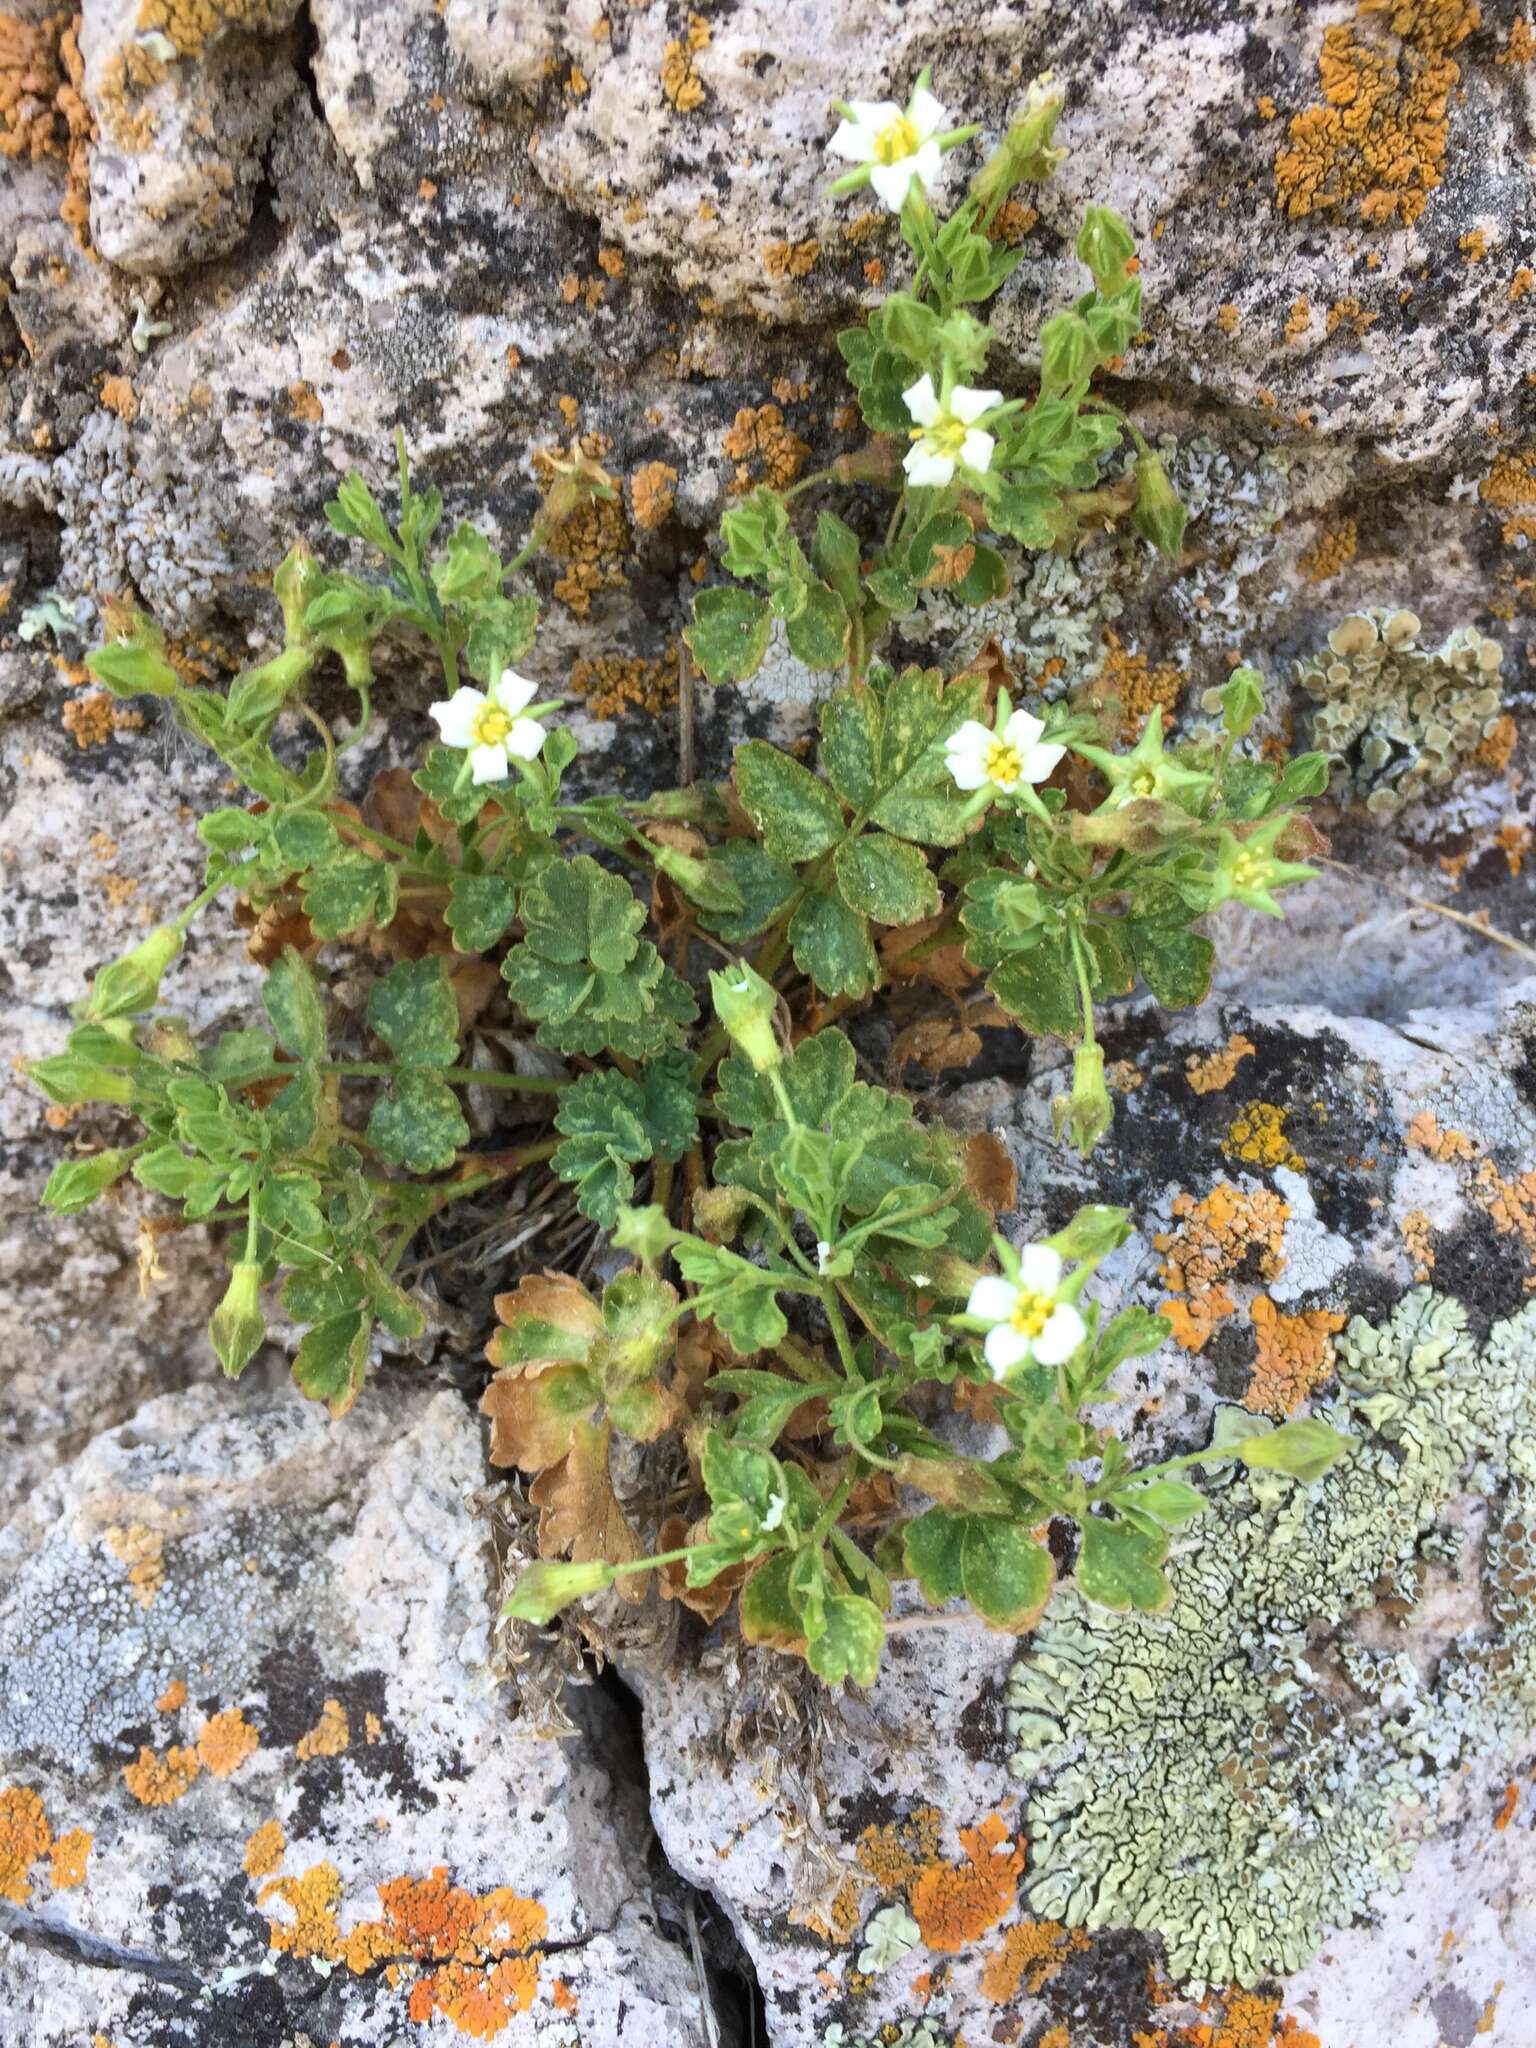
(1375, 144)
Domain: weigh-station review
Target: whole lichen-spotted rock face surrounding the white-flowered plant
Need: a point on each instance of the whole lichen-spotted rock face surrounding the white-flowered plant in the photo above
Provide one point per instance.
(257, 1789)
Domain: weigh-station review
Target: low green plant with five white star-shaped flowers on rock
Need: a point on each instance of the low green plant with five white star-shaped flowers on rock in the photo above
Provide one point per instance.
(830, 1248)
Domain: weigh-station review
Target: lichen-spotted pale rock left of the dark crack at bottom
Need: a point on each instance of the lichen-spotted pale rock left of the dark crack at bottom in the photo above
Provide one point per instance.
(257, 1781)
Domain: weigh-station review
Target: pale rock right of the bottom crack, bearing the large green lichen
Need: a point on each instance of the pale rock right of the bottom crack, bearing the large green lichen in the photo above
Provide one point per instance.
(1086, 1828)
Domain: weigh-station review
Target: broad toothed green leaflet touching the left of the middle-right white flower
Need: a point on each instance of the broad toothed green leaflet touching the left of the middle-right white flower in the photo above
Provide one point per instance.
(884, 753)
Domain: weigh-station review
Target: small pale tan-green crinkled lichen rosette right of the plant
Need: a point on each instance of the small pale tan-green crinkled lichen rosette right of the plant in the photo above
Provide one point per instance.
(1404, 718)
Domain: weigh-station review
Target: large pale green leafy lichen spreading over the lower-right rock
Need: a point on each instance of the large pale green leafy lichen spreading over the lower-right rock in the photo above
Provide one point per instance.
(1218, 1779)
